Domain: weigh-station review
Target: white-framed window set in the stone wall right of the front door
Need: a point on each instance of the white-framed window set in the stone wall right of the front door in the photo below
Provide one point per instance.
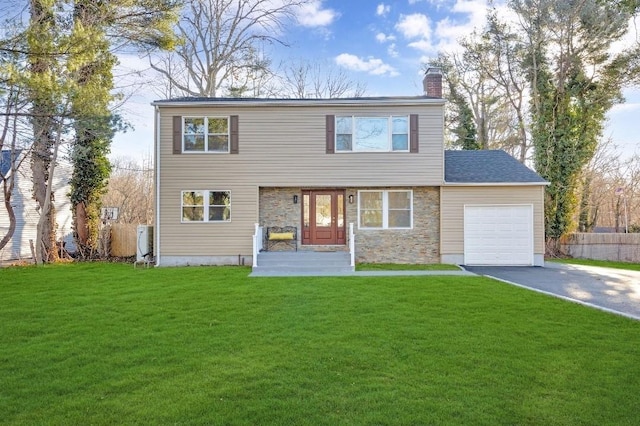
(388, 209)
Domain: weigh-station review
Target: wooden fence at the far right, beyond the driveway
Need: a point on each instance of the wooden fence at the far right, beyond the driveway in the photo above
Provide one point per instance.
(614, 247)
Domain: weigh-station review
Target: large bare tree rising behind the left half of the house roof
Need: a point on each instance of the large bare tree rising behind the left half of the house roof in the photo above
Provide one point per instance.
(220, 45)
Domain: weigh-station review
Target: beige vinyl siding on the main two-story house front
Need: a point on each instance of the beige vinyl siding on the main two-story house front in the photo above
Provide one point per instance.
(279, 146)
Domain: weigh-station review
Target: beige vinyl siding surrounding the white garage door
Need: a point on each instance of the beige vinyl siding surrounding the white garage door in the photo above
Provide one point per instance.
(454, 198)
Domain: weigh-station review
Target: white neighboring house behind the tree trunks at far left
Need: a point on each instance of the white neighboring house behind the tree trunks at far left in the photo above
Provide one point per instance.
(25, 208)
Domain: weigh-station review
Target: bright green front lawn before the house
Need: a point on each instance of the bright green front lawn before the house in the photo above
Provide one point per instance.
(106, 344)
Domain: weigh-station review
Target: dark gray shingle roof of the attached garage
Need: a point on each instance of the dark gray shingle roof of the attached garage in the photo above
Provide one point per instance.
(486, 166)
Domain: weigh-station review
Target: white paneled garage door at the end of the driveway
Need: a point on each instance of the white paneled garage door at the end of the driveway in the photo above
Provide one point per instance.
(498, 235)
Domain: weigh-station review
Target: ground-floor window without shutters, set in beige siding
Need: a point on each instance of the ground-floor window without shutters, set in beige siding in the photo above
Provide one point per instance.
(206, 206)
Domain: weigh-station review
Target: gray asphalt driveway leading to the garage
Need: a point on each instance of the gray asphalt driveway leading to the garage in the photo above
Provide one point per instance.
(610, 289)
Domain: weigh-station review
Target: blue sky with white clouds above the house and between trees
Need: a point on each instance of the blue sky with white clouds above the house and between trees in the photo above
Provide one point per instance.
(381, 43)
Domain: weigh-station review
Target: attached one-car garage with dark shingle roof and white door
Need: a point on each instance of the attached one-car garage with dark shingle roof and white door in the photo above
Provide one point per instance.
(491, 210)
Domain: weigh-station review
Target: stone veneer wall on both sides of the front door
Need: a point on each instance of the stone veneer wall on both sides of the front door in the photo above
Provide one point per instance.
(418, 245)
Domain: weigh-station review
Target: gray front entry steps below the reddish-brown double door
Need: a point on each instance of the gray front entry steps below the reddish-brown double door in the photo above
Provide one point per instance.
(302, 263)
